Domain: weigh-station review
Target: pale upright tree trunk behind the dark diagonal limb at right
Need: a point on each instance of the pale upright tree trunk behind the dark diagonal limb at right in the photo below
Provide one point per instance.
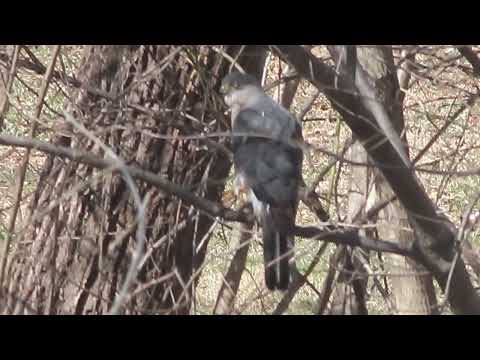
(412, 294)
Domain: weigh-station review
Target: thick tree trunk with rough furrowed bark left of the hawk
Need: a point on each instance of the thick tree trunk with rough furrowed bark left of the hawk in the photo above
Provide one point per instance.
(75, 250)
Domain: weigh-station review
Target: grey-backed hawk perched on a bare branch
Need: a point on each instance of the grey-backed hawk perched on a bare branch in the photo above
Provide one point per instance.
(268, 160)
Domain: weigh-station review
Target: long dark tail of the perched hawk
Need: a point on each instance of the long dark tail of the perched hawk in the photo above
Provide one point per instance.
(277, 246)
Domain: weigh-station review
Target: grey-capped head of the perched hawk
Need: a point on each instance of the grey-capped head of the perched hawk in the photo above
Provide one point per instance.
(237, 87)
